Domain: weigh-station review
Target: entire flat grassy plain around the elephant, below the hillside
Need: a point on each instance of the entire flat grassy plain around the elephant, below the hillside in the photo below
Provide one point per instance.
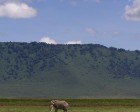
(76, 105)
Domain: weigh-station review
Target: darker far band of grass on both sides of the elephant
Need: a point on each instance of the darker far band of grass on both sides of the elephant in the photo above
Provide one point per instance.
(72, 102)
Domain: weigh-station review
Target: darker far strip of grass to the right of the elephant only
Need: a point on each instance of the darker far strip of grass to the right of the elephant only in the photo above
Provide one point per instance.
(105, 102)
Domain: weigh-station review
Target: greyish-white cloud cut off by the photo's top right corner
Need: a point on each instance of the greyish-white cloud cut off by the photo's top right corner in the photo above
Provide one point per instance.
(132, 12)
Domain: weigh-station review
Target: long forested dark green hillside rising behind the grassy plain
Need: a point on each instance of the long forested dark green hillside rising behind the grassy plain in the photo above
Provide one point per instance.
(90, 70)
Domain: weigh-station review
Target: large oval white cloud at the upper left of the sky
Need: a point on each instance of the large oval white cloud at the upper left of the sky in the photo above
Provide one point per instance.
(16, 10)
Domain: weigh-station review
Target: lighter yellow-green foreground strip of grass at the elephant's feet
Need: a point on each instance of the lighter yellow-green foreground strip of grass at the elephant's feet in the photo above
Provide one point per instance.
(72, 109)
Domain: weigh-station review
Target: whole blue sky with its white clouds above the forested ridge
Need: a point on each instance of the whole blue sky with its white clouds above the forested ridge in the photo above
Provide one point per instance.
(112, 23)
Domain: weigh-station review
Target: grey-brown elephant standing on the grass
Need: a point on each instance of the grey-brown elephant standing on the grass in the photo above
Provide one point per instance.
(59, 104)
